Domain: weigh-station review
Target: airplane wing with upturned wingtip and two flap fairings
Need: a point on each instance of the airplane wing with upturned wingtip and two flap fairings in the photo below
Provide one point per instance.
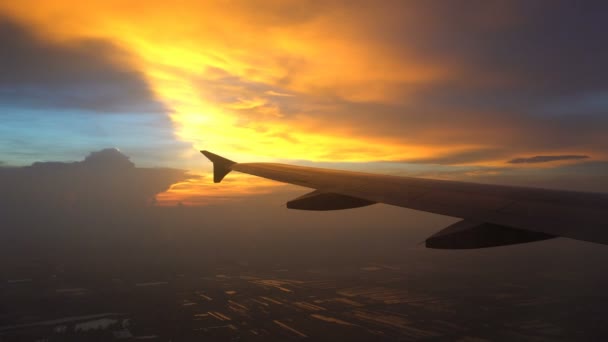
(492, 215)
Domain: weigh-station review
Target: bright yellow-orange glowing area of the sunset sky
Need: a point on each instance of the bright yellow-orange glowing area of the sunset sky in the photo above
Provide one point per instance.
(188, 50)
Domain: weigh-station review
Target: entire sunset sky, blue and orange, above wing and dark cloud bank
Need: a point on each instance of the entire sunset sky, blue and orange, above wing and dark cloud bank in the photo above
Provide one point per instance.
(508, 92)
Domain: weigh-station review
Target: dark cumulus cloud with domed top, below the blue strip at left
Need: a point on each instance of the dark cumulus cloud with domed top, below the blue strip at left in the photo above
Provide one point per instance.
(105, 180)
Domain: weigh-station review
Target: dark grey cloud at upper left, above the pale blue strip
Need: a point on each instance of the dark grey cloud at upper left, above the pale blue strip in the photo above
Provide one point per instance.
(84, 74)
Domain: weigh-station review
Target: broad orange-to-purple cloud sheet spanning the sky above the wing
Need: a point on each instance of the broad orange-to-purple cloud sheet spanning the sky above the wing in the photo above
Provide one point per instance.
(400, 80)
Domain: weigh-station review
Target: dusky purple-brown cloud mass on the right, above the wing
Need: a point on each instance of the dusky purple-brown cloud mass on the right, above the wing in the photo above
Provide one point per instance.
(520, 75)
